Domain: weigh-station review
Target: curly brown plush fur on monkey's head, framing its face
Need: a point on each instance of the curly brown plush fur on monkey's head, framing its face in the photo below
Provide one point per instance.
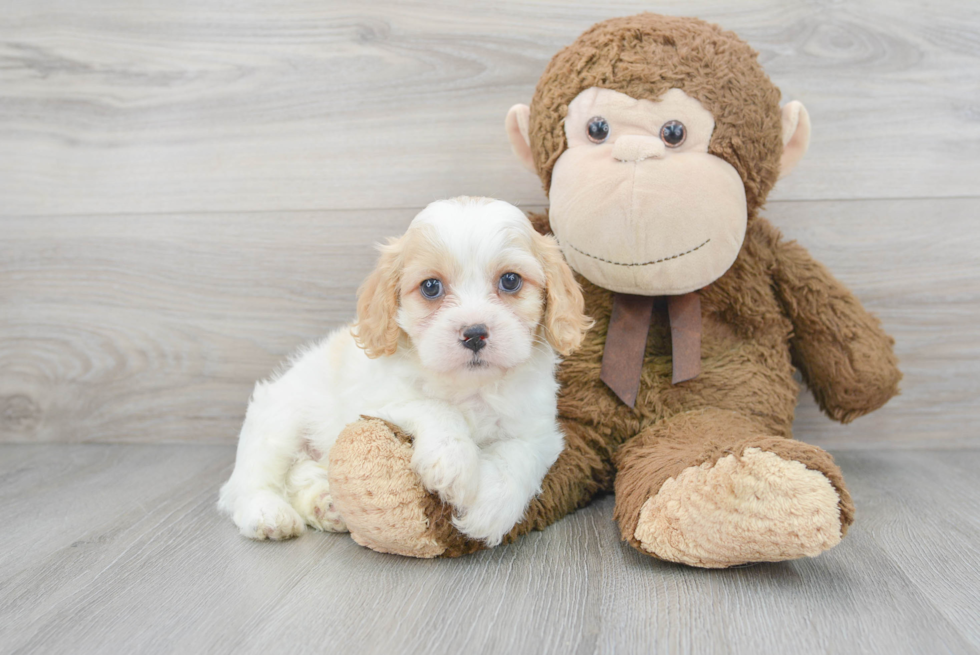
(646, 55)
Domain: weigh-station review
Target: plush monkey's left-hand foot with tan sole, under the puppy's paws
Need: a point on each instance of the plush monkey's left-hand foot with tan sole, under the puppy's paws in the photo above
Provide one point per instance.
(381, 499)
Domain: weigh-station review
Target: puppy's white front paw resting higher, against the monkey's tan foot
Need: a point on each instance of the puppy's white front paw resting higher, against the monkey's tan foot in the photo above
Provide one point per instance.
(449, 467)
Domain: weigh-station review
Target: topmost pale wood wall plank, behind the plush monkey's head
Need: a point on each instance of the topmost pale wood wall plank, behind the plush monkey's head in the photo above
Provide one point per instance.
(118, 107)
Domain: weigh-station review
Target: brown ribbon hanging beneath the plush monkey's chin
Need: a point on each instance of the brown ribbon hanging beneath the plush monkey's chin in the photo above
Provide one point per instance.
(622, 357)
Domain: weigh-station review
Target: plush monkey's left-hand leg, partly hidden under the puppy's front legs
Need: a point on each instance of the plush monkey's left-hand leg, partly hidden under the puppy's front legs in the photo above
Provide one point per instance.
(387, 509)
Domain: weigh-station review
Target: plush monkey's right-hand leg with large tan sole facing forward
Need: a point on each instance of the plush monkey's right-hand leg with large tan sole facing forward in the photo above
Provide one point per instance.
(710, 488)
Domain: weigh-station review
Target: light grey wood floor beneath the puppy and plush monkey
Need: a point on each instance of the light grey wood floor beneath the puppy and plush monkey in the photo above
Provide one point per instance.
(119, 548)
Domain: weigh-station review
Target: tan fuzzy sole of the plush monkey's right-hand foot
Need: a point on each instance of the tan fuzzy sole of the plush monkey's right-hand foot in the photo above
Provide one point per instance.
(757, 508)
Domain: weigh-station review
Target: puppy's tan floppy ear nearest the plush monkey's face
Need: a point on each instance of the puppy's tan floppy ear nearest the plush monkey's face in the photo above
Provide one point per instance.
(565, 322)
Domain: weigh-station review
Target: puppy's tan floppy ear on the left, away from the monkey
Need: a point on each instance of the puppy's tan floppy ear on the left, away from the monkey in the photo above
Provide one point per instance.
(376, 329)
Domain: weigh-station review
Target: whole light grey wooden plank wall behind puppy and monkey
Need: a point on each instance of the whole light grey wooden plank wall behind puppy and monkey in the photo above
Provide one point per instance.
(189, 191)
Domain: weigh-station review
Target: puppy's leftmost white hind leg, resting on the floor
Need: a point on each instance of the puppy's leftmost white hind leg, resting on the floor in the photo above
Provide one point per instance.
(270, 442)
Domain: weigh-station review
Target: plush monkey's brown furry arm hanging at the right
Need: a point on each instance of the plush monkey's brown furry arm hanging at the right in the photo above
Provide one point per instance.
(845, 357)
